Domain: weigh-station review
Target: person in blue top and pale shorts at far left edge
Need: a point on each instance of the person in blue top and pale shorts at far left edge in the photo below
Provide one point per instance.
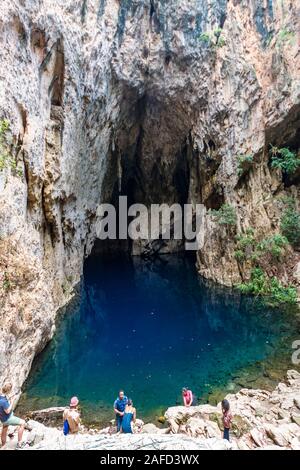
(7, 416)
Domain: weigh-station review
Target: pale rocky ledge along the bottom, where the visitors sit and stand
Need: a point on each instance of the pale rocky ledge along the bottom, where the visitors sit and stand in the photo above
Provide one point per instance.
(262, 420)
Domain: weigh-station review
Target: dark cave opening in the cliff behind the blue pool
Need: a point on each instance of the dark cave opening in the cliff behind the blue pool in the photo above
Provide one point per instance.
(145, 178)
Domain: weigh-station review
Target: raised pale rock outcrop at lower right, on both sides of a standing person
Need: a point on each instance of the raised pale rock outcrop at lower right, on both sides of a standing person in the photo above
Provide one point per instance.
(262, 419)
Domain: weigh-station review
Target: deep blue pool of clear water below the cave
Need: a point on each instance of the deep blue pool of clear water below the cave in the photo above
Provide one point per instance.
(151, 329)
